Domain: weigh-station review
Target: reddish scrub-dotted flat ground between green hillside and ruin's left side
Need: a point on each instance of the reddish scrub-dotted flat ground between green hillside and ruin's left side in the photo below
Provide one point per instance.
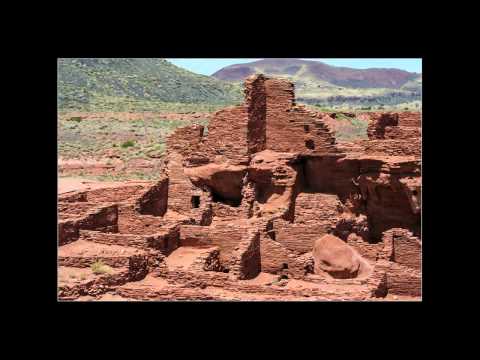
(117, 145)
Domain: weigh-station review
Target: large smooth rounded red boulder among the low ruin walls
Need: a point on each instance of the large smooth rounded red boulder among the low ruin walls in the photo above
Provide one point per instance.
(335, 257)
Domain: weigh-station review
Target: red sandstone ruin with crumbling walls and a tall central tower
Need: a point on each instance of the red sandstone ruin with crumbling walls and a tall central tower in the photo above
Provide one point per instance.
(265, 206)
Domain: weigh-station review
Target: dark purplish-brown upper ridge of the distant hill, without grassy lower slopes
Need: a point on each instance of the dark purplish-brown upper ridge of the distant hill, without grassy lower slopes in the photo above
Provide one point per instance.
(318, 71)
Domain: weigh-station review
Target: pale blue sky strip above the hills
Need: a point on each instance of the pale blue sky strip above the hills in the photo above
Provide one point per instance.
(209, 66)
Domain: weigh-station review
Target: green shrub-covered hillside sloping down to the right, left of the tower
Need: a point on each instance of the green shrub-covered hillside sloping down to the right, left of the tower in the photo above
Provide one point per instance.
(113, 83)
